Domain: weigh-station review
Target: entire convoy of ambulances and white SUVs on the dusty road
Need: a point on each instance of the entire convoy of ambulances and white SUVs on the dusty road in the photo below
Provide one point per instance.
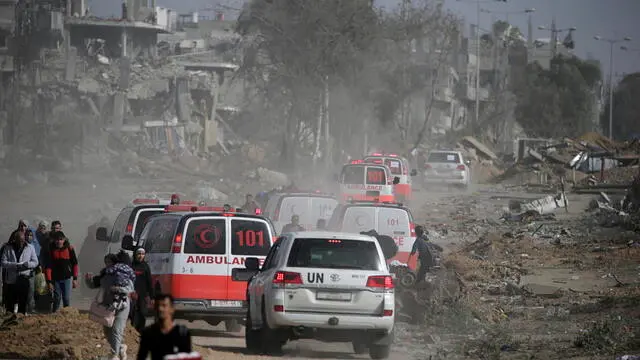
(330, 285)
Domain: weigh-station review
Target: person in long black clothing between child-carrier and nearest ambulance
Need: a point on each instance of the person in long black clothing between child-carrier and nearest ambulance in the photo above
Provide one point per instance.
(143, 290)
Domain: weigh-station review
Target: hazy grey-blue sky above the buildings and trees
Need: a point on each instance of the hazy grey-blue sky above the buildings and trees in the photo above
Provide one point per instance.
(607, 18)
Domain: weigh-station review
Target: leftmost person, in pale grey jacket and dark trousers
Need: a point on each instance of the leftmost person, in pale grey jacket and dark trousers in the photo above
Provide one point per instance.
(19, 260)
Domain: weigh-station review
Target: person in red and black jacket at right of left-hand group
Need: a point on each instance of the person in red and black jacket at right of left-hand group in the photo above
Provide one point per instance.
(61, 270)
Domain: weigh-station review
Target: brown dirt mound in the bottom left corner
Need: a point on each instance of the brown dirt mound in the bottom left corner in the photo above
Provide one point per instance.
(39, 336)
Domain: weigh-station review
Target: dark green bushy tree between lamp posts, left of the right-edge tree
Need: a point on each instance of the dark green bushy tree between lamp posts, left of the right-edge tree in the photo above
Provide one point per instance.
(558, 101)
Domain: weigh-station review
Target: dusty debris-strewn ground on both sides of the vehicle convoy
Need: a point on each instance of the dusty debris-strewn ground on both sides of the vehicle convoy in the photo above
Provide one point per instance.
(563, 280)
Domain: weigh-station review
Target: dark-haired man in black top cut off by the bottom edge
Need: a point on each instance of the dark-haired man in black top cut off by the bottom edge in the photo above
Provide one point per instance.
(164, 337)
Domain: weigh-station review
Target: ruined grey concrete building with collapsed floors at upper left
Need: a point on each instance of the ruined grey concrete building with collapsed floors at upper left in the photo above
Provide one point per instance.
(96, 84)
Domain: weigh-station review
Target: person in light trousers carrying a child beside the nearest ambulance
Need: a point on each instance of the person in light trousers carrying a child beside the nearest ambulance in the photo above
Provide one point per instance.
(117, 284)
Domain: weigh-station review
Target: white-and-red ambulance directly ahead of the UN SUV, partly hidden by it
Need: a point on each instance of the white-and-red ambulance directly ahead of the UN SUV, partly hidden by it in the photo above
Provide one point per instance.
(392, 219)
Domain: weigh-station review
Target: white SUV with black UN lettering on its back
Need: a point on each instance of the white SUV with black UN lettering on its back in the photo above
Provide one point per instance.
(330, 286)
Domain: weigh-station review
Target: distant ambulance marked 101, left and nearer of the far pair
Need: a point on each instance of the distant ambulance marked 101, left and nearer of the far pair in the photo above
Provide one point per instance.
(365, 181)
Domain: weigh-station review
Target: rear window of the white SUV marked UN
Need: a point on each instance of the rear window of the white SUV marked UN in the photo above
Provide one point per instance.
(334, 254)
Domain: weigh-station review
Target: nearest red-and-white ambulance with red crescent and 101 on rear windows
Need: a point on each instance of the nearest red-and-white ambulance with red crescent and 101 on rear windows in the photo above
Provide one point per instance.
(194, 253)
